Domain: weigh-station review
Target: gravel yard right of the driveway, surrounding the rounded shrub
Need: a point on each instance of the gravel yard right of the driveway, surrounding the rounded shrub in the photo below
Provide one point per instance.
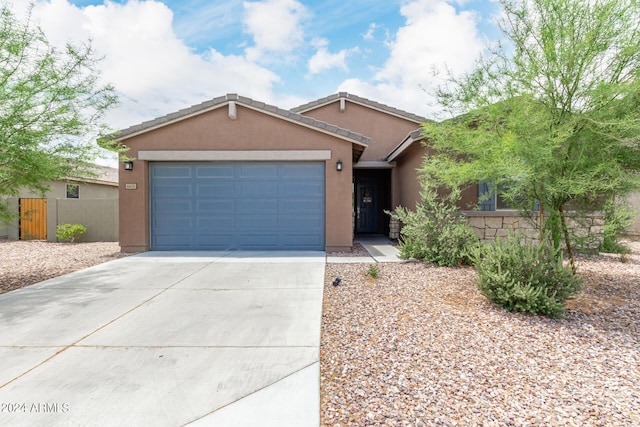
(419, 345)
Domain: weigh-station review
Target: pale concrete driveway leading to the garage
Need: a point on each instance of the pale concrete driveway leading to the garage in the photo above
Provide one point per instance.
(167, 339)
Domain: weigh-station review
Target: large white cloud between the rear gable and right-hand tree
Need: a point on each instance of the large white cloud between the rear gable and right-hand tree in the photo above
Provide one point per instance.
(435, 37)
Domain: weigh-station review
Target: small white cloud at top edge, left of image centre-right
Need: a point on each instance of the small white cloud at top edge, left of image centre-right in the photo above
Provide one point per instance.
(275, 25)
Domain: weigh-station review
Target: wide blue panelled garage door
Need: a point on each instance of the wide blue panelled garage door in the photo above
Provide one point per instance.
(237, 205)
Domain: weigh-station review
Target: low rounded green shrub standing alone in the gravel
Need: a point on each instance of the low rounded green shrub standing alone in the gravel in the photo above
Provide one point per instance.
(525, 276)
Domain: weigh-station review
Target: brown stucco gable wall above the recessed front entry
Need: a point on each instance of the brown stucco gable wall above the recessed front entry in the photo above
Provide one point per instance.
(386, 131)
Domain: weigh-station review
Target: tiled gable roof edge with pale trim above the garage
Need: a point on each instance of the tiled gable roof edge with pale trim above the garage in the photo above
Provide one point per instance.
(355, 138)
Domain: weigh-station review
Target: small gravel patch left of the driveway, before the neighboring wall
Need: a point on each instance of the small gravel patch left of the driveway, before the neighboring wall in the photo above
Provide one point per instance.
(23, 263)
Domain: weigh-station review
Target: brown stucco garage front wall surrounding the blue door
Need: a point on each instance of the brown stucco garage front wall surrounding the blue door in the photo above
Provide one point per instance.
(251, 130)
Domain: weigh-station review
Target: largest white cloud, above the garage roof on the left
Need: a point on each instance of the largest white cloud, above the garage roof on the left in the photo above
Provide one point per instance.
(153, 70)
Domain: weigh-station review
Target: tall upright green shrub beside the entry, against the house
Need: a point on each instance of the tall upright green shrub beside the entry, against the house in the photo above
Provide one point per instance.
(436, 231)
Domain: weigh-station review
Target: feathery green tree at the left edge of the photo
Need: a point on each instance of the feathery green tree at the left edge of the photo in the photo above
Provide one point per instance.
(51, 109)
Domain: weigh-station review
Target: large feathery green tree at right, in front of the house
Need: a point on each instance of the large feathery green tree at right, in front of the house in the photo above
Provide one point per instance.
(551, 113)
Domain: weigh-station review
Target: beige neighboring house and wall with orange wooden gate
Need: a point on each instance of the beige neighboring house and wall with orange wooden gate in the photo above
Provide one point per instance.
(92, 202)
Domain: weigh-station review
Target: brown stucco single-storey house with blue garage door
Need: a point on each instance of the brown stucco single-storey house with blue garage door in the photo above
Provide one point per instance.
(235, 173)
